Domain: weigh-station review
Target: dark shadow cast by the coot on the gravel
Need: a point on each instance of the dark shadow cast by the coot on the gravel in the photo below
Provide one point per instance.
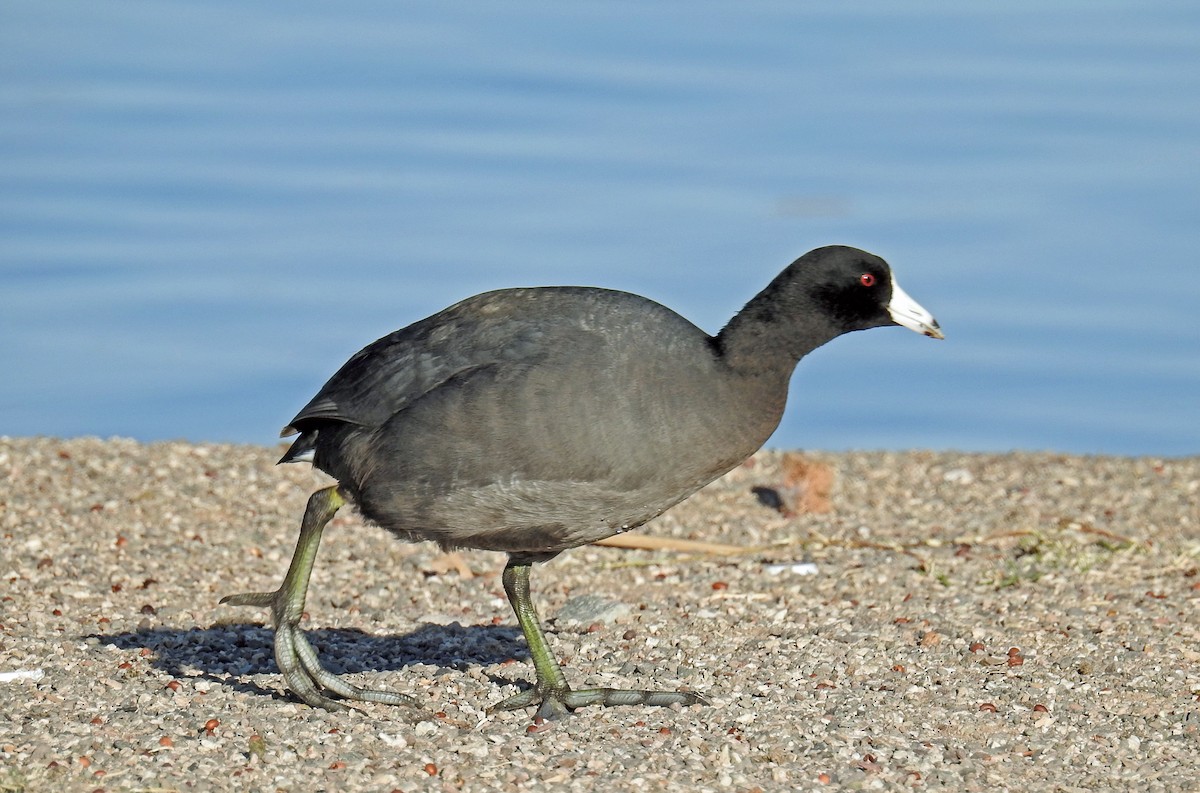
(231, 654)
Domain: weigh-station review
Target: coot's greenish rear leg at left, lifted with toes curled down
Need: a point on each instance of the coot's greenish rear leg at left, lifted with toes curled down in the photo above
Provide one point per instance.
(295, 654)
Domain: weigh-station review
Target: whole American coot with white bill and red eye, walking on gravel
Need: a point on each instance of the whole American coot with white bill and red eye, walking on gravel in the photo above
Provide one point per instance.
(536, 420)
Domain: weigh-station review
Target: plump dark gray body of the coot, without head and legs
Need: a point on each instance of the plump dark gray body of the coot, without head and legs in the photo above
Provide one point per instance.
(587, 399)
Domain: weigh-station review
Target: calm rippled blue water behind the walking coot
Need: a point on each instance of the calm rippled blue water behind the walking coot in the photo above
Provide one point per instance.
(207, 207)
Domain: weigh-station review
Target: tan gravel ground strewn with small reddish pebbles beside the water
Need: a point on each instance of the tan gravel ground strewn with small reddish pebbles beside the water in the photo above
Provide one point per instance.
(958, 622)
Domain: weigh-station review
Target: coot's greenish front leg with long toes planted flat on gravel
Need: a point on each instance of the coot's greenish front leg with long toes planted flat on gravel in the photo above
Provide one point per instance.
(551, 693)
